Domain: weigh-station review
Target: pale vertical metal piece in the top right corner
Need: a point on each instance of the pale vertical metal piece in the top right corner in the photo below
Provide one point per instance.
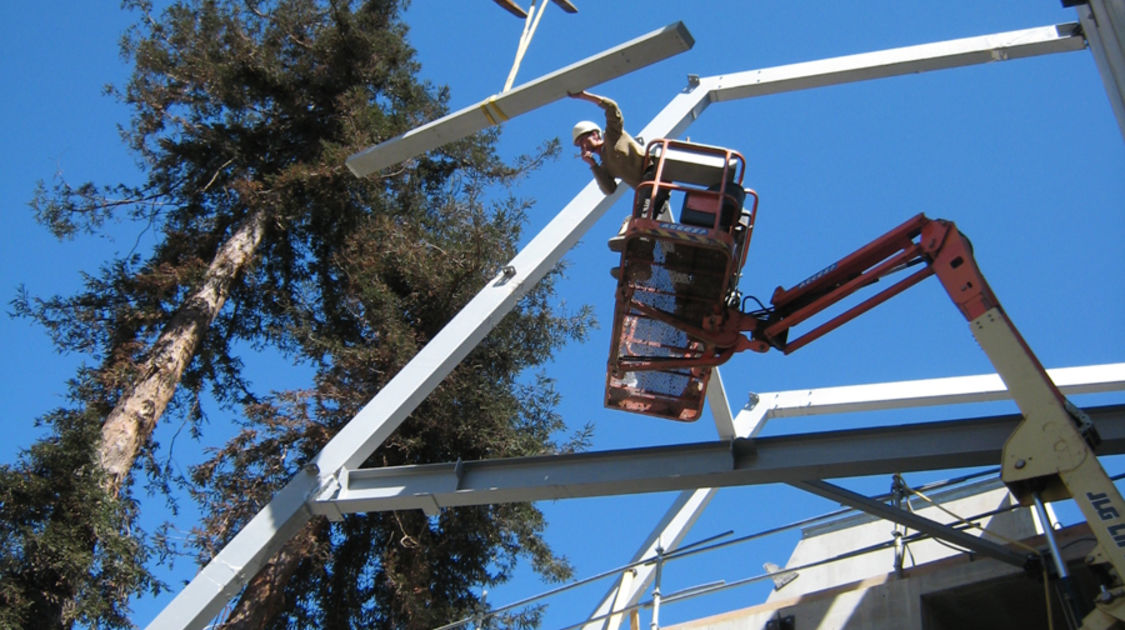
(1104, 26)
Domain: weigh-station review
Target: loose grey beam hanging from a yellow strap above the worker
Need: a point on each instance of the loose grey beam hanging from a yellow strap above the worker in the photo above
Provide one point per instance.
(591, 71)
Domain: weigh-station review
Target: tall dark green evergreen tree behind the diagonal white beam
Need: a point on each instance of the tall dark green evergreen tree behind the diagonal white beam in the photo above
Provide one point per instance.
(244, 114)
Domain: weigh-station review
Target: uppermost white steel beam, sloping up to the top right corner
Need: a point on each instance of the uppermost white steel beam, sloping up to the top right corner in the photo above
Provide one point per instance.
(894, 62)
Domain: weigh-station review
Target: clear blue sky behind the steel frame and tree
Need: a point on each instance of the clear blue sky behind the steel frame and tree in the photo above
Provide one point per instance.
(1024, 156)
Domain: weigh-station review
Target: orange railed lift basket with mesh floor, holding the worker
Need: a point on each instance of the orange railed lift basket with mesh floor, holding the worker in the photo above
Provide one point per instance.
(677, 278)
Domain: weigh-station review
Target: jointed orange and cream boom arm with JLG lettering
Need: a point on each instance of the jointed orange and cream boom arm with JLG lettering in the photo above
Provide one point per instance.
(1049, 457)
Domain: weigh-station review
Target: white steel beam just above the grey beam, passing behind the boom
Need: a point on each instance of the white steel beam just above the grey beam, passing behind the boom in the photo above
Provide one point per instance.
(905, 394)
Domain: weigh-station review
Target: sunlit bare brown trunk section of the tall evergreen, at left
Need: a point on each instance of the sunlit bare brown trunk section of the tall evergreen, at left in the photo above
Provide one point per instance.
(133, 420)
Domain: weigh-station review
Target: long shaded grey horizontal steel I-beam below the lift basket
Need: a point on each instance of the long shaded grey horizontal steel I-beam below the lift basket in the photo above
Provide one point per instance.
(764, 461)
